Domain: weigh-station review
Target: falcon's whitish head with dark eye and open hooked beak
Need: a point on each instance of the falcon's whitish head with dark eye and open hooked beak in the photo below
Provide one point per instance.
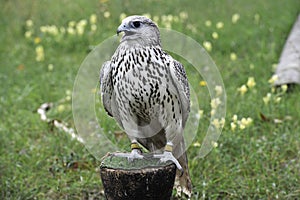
(139, 30)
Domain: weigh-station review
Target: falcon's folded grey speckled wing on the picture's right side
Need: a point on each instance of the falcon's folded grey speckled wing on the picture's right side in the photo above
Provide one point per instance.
(181, 83)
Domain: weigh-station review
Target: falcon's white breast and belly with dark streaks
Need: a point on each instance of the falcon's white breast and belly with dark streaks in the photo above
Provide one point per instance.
(141, 79)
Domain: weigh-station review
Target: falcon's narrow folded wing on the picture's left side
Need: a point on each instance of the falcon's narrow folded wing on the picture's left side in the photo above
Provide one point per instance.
(106, 86)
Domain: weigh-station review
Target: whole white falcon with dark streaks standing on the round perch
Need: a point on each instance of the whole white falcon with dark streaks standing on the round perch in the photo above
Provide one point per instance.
(147, 93)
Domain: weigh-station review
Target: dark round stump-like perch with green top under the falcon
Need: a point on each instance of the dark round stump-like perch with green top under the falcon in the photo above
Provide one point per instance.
(145, 179)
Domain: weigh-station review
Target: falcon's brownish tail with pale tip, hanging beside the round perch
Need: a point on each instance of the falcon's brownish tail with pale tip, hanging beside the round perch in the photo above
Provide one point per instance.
(183, 182)
